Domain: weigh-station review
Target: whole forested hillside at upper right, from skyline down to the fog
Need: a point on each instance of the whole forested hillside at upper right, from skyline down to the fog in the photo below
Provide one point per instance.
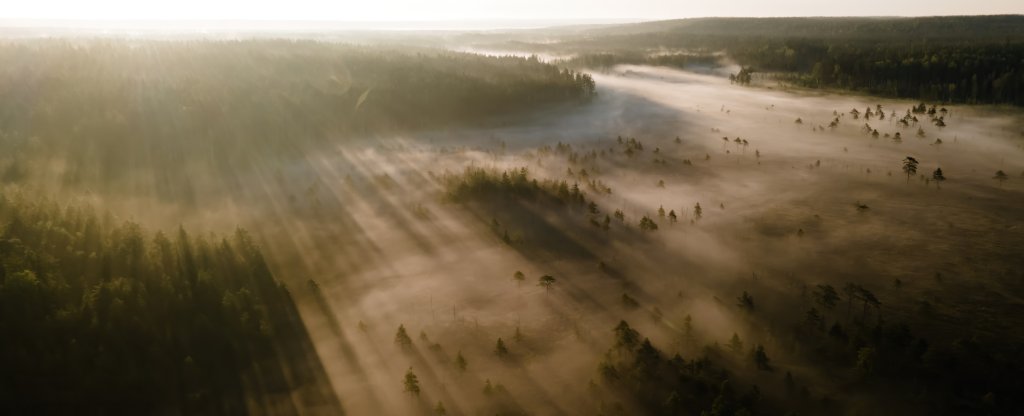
(974, 60)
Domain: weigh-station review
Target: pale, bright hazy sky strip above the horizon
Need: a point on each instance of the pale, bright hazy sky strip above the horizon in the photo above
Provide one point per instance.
(474, 10)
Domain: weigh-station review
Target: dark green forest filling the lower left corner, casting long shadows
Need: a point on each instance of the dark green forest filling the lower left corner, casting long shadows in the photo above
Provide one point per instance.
(103, 317)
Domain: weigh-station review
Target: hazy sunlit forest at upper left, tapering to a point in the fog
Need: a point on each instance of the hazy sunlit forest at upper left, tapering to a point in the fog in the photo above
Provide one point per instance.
(116, 107)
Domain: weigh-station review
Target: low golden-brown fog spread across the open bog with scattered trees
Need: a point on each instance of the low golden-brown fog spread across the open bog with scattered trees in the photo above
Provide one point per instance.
(370, 225)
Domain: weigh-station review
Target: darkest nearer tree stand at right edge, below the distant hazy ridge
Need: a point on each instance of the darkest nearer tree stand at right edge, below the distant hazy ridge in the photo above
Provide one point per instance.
(973, 73)
